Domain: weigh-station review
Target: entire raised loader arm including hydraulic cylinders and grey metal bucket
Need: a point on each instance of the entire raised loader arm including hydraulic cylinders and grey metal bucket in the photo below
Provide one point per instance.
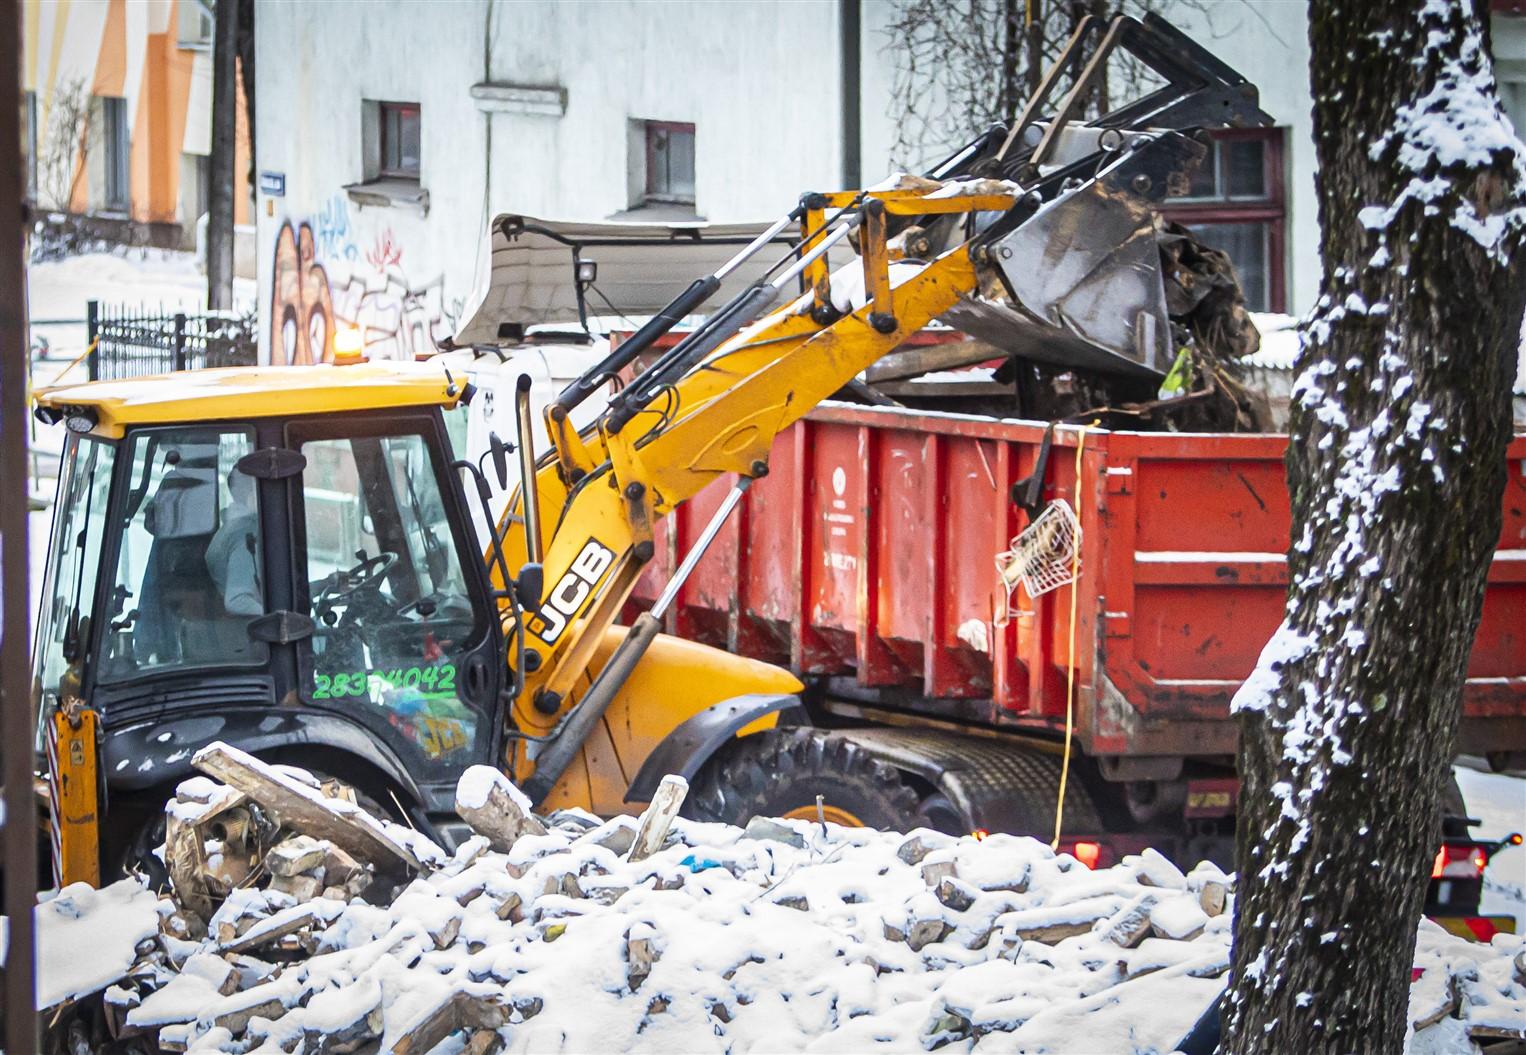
(1072, 245)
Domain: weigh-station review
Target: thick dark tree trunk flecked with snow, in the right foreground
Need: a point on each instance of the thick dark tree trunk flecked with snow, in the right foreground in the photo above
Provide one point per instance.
(1397, 471)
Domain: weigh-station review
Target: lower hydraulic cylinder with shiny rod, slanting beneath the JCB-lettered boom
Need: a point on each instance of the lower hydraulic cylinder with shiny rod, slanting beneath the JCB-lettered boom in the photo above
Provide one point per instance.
(555, 761)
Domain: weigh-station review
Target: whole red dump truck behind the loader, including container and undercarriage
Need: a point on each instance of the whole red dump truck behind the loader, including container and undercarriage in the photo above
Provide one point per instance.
(866, 563)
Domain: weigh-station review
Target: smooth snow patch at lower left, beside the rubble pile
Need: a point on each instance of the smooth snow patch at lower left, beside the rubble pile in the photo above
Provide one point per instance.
(86, 938)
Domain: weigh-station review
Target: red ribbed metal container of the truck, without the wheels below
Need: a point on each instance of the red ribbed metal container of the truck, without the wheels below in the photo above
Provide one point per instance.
(869, 555)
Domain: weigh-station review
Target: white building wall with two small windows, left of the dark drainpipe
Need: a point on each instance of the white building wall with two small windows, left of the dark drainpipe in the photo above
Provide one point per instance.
(758, 80)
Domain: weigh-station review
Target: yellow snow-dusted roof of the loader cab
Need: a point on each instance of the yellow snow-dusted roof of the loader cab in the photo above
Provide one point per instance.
(242, 393)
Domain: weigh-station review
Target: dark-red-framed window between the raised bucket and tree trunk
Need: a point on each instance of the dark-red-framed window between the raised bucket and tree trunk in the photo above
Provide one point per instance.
(1237, 202)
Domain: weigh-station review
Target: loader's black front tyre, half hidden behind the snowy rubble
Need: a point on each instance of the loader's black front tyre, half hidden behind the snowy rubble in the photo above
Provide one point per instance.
(782, 772)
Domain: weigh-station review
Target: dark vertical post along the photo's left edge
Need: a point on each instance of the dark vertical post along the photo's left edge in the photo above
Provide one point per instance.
(19, 836)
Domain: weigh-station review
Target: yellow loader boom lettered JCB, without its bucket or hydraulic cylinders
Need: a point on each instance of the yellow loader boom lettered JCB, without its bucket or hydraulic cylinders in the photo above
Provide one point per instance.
(721, 418)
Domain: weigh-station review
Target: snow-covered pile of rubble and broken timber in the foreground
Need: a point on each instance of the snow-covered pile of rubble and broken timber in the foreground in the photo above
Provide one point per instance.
(300, 923)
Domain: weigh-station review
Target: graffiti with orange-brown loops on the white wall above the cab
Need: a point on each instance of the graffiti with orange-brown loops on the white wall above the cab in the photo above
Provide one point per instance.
(326, 283)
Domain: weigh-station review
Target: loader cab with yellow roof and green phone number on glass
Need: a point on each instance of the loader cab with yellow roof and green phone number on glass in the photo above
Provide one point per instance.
(278, 558)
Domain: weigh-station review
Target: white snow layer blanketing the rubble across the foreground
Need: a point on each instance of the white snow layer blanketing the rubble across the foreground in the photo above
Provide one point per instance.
(758, 946)
